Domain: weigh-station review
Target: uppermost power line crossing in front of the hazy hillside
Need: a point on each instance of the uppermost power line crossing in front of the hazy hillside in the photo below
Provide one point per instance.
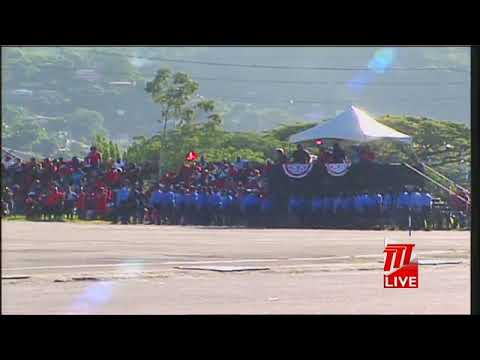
(278, 67)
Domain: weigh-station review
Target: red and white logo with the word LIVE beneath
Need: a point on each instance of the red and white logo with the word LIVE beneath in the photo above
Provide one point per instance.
(399, 271)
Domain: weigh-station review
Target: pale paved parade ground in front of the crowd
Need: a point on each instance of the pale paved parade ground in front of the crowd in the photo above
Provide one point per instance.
(65, 268)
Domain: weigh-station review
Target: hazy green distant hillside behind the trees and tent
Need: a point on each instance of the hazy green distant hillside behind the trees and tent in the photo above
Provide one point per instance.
(51, 95)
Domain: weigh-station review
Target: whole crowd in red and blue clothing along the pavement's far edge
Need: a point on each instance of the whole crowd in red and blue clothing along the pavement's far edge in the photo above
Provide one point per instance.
(200, 193)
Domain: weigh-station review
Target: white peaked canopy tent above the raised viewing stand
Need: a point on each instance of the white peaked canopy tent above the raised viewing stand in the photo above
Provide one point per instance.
(352, 125)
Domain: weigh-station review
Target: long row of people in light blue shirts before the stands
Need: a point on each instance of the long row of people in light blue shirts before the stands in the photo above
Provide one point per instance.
(253, 208)
